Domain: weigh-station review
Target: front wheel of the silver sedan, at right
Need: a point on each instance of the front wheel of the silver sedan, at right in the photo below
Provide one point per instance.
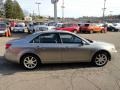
(100, 59)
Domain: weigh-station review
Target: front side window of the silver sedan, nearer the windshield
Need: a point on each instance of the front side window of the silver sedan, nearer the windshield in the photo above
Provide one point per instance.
(69, 38)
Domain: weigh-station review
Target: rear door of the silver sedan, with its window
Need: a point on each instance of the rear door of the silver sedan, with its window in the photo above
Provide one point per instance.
(48, 48)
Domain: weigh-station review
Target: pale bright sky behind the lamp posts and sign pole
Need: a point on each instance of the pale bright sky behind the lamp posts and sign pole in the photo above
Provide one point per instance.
(73, 8)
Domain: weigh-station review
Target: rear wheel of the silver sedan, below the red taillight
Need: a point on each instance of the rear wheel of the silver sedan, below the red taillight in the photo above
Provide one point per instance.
(29, 61)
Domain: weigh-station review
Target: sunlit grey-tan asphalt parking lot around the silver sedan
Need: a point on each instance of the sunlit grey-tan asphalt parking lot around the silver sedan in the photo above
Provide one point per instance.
(81, 76)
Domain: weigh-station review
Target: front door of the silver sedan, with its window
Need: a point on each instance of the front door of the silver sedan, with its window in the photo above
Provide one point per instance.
(73, 50)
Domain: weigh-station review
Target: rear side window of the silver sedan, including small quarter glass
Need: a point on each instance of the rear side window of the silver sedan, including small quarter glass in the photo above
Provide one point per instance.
(47, 38)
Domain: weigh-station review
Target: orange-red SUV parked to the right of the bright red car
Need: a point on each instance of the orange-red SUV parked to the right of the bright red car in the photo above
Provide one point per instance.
(91, 27)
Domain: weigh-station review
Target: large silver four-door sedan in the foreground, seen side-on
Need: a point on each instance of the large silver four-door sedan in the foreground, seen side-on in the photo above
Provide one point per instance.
(57, 47)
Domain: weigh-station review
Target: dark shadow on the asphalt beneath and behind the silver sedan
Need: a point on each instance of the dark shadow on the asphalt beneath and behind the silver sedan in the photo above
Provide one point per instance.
(8, 68)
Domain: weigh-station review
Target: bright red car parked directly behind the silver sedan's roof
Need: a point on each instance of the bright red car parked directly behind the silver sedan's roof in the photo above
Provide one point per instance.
(69, 27)
